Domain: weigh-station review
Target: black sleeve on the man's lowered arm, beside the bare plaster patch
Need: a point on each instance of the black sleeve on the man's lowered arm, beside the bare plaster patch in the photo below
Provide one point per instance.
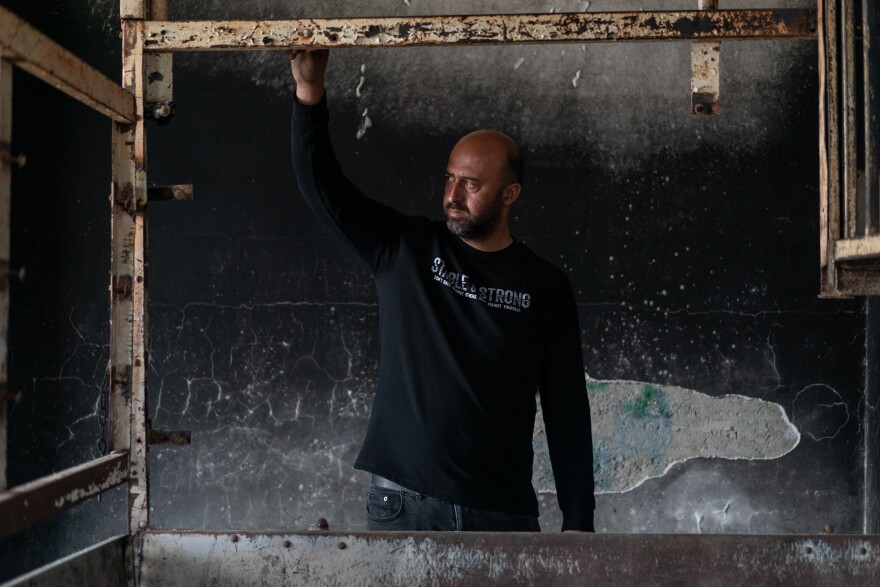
(566, 409)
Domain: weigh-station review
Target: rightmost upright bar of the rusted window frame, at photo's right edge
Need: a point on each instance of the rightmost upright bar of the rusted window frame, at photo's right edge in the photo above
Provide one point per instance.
(871, 198)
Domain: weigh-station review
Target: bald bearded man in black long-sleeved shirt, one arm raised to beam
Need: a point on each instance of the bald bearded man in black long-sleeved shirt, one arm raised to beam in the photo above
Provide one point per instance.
(471, 325)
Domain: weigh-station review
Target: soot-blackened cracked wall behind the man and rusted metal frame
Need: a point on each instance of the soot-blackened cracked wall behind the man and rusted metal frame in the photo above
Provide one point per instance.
(727, 397)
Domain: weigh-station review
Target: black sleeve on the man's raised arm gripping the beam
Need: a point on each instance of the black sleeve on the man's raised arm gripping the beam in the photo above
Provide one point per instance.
(370, 229)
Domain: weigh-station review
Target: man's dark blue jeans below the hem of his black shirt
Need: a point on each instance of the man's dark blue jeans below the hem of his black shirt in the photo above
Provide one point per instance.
(404, 510)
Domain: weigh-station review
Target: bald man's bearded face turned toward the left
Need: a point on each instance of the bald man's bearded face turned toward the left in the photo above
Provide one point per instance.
(473, 192)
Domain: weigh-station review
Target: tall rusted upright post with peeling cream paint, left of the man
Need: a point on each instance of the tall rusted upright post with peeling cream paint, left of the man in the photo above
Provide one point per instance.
(128, 280)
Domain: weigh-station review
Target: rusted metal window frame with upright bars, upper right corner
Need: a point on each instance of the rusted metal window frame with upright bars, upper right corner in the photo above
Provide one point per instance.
(849, 203)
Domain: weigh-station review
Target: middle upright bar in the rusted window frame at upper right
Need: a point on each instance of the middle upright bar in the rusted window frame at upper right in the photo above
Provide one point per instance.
(848, 134)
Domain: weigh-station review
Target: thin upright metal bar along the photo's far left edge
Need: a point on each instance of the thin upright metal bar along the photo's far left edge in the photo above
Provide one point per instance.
(5, 206)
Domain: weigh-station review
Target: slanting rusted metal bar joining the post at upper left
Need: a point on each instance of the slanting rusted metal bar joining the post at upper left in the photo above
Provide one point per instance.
(42, 57)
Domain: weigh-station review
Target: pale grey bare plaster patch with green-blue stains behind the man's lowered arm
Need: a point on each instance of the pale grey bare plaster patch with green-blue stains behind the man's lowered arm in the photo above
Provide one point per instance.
(641, 430)
